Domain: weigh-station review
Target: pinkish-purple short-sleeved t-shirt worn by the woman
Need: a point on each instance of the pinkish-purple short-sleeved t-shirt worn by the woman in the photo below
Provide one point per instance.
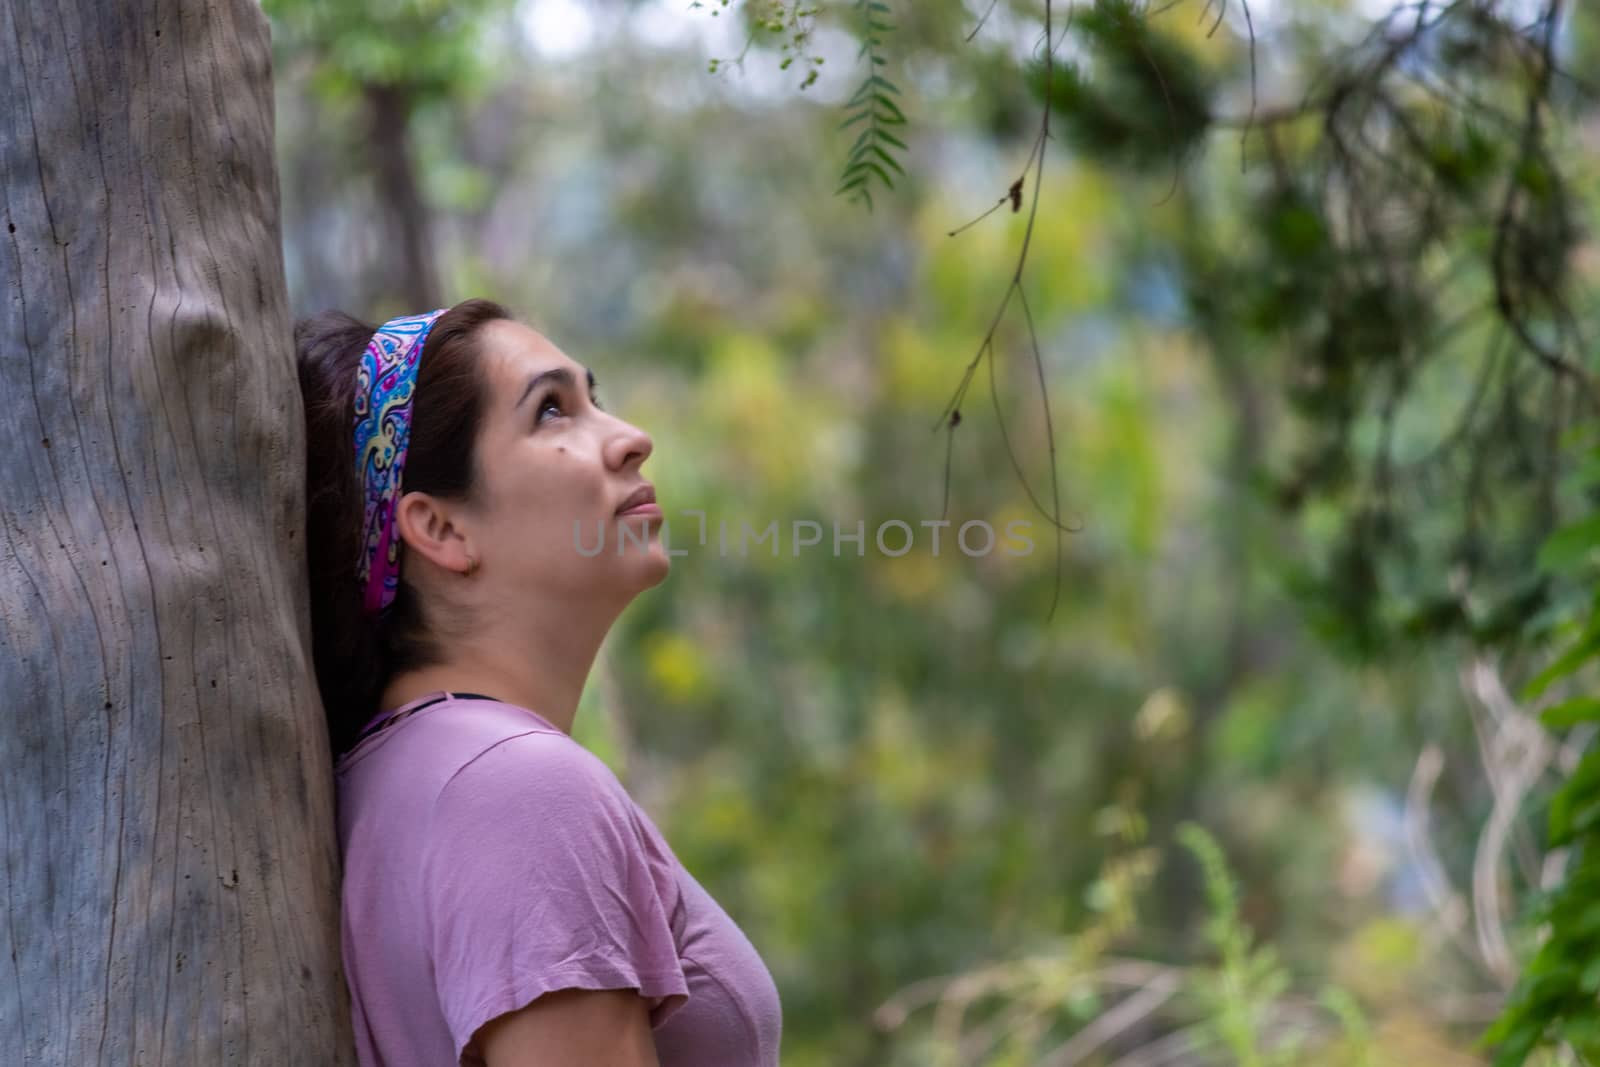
(489, 858)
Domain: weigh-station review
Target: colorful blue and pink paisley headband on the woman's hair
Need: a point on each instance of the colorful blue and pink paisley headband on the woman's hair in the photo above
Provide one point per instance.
(385, 385)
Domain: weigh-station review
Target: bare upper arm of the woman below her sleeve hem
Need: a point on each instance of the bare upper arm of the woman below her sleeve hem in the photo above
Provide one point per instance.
(572, 1026)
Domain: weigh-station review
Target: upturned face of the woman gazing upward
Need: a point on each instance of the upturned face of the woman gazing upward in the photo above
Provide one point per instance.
(553, 471)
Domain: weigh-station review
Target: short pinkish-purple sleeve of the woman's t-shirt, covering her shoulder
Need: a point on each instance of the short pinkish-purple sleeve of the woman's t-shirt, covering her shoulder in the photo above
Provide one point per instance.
(537, 877)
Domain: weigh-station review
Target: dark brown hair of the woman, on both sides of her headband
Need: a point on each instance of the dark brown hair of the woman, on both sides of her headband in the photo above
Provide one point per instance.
(354, 653)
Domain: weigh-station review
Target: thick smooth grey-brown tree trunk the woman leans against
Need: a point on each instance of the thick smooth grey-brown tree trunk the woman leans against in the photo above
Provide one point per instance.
(166, 789)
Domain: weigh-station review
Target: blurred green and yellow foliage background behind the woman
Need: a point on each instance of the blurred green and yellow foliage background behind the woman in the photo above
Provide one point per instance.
(1295, 604)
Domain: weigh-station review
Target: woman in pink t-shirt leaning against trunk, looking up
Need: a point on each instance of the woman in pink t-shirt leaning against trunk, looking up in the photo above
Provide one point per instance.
(505, 901)
